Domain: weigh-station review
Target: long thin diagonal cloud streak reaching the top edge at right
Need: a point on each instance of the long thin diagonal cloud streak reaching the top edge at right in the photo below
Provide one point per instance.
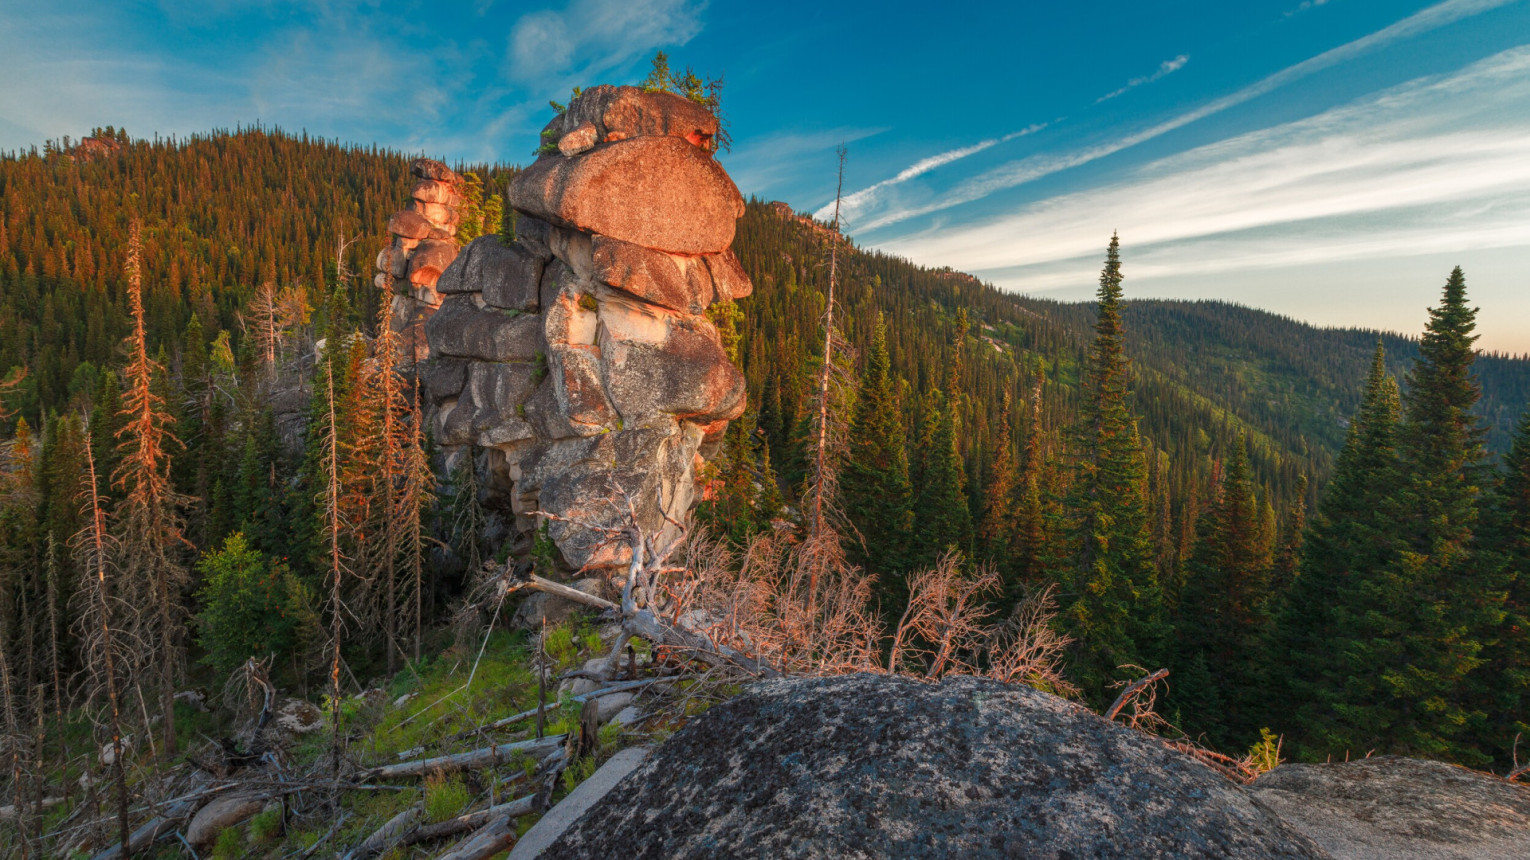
(1037, 168)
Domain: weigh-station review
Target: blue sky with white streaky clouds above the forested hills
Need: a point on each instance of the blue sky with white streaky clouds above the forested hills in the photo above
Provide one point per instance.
(1326, 160)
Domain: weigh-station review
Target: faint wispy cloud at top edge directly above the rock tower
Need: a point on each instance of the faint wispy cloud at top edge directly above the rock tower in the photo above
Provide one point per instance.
(591, 37)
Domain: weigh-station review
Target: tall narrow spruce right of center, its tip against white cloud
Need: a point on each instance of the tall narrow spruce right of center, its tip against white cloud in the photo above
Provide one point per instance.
(1115, 610)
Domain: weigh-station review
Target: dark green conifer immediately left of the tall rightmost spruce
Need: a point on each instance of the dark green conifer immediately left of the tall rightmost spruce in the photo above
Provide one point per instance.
(1329, 613)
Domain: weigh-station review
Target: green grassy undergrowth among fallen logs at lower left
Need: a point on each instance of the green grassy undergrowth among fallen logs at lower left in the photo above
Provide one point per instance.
(454, 692)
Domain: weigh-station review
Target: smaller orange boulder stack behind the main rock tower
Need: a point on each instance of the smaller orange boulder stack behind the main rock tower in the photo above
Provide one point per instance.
(423, 249)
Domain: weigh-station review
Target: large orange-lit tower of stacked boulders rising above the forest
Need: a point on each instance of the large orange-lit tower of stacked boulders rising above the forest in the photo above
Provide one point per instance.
(578, 360)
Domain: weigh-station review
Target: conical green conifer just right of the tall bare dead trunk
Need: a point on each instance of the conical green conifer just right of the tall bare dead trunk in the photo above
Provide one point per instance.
(876, 483)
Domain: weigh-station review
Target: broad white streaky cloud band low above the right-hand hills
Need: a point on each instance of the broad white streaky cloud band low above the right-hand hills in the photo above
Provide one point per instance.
(1427, 168)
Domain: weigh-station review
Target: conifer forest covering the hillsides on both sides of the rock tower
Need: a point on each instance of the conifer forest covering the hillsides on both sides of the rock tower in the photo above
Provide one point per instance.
(218, 484)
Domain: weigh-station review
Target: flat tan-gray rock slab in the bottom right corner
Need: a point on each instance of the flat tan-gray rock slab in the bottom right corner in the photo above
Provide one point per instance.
(1393, 807)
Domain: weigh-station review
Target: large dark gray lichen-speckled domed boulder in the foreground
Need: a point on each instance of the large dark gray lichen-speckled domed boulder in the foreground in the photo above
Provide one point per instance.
(867, 766)
